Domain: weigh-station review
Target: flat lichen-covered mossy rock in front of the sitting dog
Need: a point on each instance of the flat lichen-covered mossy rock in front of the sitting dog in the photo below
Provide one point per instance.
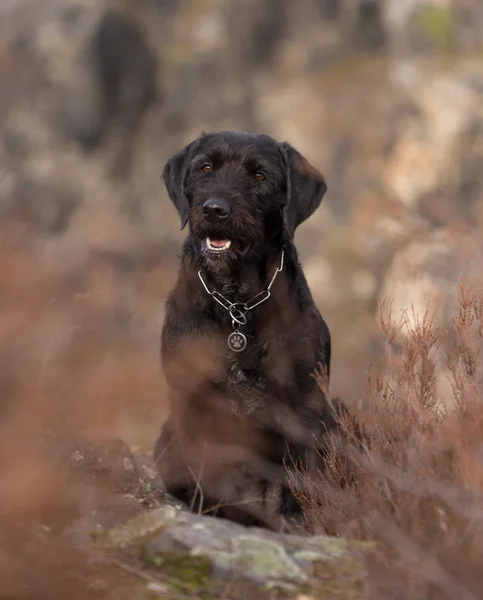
(202, 555)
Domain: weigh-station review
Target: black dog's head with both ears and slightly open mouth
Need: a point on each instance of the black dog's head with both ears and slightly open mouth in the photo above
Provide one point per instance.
(240, 193)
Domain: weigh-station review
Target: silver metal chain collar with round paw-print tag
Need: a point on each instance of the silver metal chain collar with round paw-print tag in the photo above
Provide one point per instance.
(237, 341)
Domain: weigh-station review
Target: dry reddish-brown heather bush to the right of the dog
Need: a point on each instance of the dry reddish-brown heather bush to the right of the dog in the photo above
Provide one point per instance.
(418, 478)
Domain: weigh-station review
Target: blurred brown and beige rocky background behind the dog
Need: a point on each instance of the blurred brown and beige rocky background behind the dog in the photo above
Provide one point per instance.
(384, 97)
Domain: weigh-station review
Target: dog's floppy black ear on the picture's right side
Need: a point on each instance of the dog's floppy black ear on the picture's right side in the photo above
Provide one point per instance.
(305, 189)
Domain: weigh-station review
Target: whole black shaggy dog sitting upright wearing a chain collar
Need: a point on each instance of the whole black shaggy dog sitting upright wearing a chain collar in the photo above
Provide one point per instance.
(242, 336)
